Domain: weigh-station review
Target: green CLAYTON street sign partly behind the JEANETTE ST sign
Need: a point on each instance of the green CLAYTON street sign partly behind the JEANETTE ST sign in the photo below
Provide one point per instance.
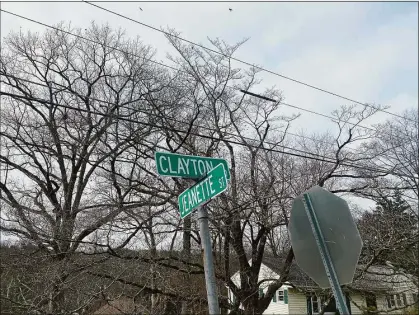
(187, 166)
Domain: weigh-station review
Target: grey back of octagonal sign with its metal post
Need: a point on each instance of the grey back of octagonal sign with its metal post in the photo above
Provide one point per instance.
(330, 253)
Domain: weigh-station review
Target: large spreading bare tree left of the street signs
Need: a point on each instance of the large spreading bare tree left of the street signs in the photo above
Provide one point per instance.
(62, 141)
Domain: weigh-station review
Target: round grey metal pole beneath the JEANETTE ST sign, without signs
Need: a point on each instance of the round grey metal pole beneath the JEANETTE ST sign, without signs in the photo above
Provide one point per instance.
(213, 307)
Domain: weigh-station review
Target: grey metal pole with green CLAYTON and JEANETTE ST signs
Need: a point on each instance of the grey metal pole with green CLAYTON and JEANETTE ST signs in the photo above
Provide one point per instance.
(211, 176)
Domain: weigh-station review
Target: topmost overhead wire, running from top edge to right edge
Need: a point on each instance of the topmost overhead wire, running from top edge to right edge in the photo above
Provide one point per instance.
(242, 61)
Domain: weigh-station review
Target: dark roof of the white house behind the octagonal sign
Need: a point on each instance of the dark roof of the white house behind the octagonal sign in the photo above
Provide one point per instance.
(373, 279)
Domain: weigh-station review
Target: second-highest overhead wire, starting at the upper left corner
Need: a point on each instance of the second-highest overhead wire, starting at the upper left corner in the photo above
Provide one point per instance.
(170, 67)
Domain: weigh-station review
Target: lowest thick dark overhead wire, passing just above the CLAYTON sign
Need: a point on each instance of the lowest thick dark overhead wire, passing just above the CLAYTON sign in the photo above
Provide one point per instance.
(42, 101)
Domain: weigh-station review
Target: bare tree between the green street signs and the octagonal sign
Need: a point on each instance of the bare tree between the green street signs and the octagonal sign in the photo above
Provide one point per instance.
(252, 137)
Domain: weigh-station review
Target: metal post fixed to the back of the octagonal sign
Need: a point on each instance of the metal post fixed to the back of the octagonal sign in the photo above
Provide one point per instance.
(325, 256)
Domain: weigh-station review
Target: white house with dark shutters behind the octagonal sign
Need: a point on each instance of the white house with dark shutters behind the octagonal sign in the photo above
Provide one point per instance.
(378, 288)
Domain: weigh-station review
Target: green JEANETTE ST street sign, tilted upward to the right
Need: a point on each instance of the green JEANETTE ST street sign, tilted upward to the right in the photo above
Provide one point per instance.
(212, 185)
